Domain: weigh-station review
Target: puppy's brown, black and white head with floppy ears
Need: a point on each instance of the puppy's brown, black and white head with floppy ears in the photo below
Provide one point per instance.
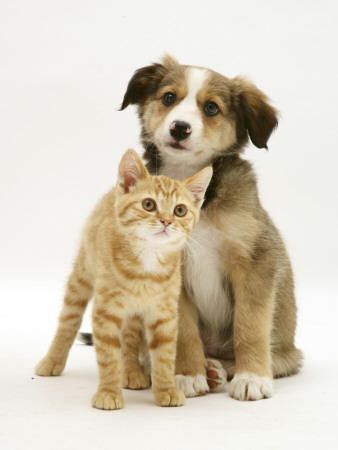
(194, 114)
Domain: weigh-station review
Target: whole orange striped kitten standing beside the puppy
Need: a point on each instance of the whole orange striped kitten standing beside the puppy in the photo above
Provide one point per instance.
(130, 260)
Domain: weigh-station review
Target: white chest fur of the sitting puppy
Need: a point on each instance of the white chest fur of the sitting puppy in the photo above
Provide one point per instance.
(203, 276)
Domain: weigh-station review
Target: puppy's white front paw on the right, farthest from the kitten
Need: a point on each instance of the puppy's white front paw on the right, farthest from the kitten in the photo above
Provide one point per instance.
(248, 386)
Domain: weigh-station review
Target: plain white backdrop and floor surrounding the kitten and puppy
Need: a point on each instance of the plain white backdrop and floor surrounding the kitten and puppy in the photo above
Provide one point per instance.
(64, 69)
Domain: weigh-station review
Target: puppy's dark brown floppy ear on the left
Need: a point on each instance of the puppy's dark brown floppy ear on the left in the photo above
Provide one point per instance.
(143, 82)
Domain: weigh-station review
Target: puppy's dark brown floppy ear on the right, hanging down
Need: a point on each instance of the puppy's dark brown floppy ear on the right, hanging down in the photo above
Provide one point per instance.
(258, 116)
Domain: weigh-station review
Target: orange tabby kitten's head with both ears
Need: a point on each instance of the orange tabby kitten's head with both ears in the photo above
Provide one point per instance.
(157, 210)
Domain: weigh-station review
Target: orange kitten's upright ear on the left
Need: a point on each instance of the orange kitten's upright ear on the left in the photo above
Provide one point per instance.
(131, 170)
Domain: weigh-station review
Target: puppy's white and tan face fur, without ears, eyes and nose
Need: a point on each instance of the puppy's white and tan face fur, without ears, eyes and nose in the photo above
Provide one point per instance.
(205, 136)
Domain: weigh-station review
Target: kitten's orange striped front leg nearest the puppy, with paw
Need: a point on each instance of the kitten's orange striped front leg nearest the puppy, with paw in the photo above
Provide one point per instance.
(161, 336)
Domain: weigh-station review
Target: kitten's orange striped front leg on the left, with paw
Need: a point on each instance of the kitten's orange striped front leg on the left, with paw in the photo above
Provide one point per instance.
(107, 330)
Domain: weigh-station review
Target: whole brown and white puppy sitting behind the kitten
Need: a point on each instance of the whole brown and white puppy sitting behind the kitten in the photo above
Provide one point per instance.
(237, 304)
